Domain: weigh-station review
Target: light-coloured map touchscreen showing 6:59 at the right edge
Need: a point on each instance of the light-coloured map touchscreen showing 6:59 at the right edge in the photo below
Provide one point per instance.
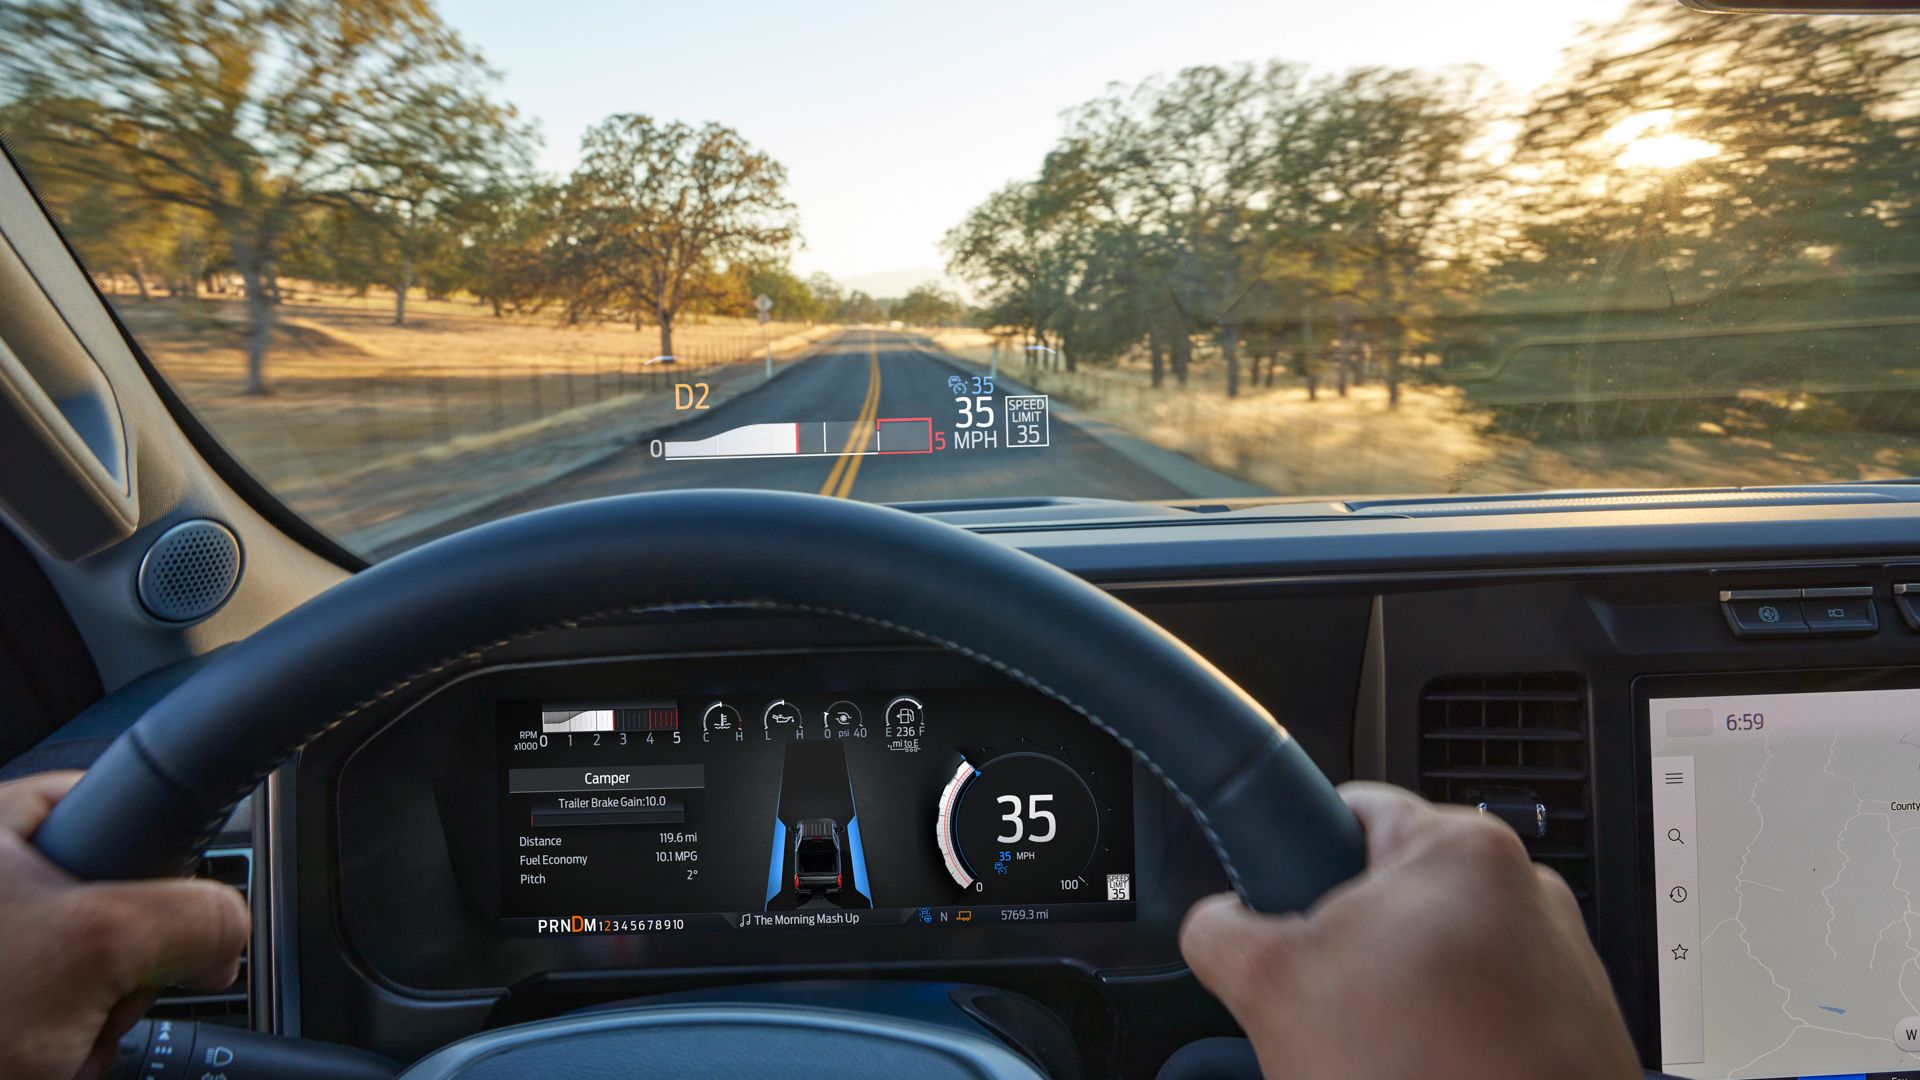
(1787, 870)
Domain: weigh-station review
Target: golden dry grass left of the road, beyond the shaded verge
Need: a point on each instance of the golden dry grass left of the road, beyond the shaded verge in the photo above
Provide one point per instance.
(350, 389)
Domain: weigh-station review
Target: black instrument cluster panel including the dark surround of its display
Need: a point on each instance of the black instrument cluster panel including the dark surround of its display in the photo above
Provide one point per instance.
(750, 810)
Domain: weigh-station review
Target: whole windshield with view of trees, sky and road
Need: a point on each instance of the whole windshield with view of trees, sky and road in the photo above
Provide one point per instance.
(420, 266)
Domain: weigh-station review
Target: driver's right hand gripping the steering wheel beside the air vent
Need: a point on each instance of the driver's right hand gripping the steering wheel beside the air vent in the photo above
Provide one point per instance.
(1451, 956)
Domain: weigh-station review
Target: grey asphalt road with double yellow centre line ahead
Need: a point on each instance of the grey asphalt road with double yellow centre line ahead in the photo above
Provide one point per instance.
(857, 385)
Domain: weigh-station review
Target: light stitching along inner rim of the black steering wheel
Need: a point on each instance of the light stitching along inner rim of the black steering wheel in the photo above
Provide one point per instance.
(479, 652)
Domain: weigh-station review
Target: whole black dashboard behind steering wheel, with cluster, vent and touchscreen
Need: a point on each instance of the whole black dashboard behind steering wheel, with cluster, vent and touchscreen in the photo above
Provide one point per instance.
(704, 800)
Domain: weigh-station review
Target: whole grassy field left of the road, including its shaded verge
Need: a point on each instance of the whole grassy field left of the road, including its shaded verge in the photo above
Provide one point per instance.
(368, 422)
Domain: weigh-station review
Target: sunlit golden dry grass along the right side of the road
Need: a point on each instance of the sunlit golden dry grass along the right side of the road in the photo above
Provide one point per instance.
(1435, 441)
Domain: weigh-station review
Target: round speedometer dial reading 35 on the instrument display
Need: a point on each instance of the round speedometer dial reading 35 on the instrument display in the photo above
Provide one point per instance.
(1019, 827)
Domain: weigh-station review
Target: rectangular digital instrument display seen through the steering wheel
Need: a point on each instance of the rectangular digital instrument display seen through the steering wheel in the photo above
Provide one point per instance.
(811, 810)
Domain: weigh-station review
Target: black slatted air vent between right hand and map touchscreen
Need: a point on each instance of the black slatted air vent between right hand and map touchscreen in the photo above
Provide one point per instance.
(1516, 747)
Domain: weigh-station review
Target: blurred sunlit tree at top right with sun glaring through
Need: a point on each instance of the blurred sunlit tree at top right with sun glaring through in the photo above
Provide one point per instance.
(1798, 151)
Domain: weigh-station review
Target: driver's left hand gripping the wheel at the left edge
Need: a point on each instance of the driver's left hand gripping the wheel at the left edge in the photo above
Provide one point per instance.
(82, 962)
